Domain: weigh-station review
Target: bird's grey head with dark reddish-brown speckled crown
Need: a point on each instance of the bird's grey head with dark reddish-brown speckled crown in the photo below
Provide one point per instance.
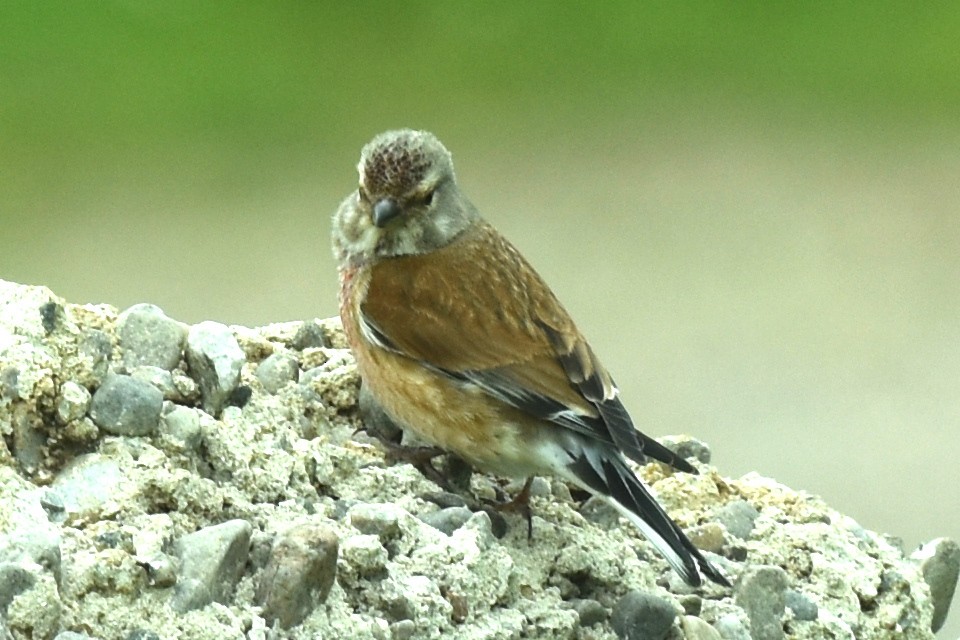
(407, 202)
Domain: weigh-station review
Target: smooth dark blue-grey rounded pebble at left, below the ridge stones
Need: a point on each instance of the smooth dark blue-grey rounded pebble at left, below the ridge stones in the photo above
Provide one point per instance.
(126, 406)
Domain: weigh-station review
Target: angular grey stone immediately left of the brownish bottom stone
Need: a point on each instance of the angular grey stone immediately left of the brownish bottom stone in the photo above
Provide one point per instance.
(212, 561)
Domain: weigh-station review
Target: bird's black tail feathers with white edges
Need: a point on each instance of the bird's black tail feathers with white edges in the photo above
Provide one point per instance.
(604, 473)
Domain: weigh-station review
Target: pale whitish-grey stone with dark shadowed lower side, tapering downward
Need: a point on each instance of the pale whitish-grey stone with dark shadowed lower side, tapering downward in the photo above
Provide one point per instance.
(215, 360)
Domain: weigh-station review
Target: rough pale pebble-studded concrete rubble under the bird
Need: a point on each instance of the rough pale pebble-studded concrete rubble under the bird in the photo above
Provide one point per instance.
(156, 487)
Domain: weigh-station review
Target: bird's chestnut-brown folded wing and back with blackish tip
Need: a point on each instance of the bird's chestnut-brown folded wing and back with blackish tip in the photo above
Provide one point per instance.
(477, 311)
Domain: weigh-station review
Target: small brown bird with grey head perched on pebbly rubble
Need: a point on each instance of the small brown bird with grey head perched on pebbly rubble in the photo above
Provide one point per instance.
(461, 342)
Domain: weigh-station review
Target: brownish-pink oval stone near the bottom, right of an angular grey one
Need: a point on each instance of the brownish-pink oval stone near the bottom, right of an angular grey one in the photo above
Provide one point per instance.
(299, 574)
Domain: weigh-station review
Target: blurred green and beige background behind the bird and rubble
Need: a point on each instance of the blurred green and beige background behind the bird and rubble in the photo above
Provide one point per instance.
(753, 210)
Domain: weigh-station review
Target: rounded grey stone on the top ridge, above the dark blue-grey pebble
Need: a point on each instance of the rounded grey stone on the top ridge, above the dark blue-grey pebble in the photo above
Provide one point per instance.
(148, 337)
